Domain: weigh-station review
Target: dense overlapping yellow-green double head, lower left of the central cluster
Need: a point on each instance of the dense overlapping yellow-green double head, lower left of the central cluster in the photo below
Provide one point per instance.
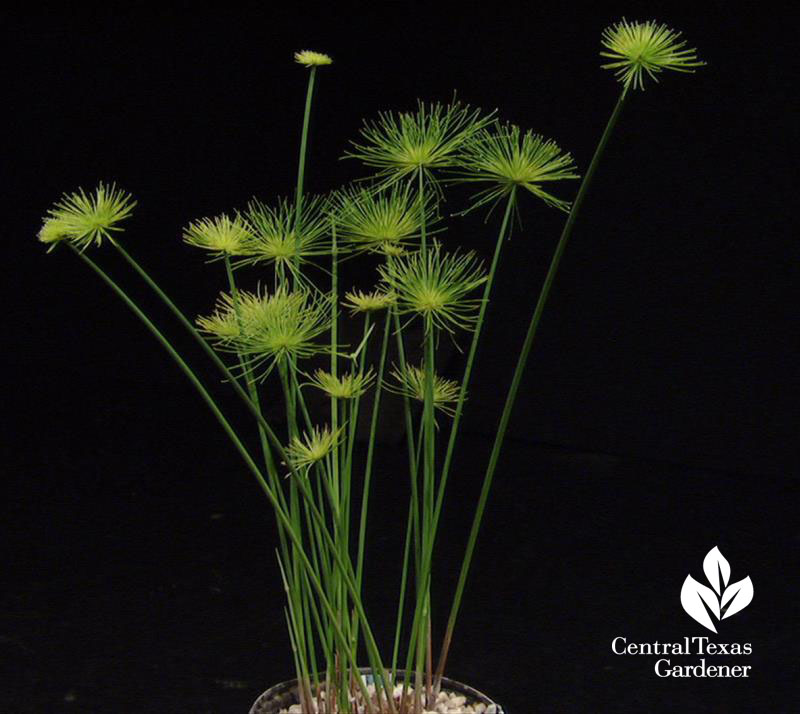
(269, 327)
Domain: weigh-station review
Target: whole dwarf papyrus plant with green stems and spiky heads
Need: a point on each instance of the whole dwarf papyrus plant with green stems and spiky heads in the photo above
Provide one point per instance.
(273, 333)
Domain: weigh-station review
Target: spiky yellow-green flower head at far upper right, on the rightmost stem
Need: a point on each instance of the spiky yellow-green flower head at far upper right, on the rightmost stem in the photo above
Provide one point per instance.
(645, 47)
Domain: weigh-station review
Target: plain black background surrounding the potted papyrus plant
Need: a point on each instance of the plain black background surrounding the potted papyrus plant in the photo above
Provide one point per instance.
(658, 417)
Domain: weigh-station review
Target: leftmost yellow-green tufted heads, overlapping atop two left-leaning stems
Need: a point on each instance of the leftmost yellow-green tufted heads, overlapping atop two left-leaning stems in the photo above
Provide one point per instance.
(83, 219)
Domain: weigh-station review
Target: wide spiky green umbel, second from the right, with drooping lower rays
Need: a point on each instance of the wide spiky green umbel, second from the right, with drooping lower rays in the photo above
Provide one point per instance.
(506, 158)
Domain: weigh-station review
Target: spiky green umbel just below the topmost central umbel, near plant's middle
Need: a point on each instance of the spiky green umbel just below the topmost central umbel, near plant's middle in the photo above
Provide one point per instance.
(380, 220)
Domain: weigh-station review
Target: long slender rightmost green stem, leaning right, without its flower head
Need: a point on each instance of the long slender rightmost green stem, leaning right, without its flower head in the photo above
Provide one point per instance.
(517, 378)
